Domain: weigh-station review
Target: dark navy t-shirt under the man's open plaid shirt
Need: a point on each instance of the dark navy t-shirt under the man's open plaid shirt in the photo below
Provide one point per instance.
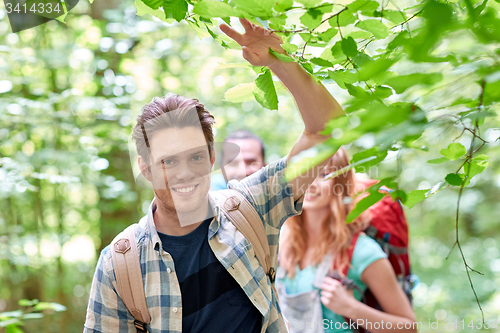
(212, 300)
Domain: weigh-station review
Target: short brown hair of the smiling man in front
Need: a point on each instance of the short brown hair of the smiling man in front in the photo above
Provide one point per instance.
(156, 115)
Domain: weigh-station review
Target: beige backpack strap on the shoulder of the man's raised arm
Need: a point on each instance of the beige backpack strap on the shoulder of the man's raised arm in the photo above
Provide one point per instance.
(246, 219)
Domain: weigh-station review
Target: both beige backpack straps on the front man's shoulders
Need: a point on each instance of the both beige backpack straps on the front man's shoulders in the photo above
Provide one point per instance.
(127, 267)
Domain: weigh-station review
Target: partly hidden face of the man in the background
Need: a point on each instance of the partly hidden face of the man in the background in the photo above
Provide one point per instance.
(248, 161)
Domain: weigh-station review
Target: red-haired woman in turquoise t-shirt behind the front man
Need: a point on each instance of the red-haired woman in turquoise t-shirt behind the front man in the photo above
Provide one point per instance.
(310, 243)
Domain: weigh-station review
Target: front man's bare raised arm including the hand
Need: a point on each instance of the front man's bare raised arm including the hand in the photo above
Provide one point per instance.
(315, 103)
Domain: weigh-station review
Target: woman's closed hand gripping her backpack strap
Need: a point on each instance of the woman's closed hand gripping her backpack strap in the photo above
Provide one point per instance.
(336, 297)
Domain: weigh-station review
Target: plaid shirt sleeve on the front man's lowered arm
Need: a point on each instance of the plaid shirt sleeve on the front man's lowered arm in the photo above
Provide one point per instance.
(106, 312)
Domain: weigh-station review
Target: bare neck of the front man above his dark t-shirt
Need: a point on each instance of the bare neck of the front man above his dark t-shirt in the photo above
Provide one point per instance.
(178, 224)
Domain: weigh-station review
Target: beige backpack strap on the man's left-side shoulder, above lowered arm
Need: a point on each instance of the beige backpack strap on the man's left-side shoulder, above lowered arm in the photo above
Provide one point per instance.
(129, 277)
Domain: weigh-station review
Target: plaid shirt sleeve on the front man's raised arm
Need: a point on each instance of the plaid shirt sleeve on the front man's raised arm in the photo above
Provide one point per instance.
(270, 193)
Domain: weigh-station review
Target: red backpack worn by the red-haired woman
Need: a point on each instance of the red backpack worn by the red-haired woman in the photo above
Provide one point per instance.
(389, 228)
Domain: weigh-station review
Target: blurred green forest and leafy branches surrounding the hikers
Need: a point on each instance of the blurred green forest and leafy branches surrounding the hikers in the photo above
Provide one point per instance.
(69, 94)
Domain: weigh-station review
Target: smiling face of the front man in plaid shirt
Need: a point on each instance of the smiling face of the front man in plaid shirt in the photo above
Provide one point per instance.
(180, 168)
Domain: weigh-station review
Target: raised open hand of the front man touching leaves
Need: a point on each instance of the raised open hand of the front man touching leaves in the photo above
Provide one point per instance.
(255, 43)
